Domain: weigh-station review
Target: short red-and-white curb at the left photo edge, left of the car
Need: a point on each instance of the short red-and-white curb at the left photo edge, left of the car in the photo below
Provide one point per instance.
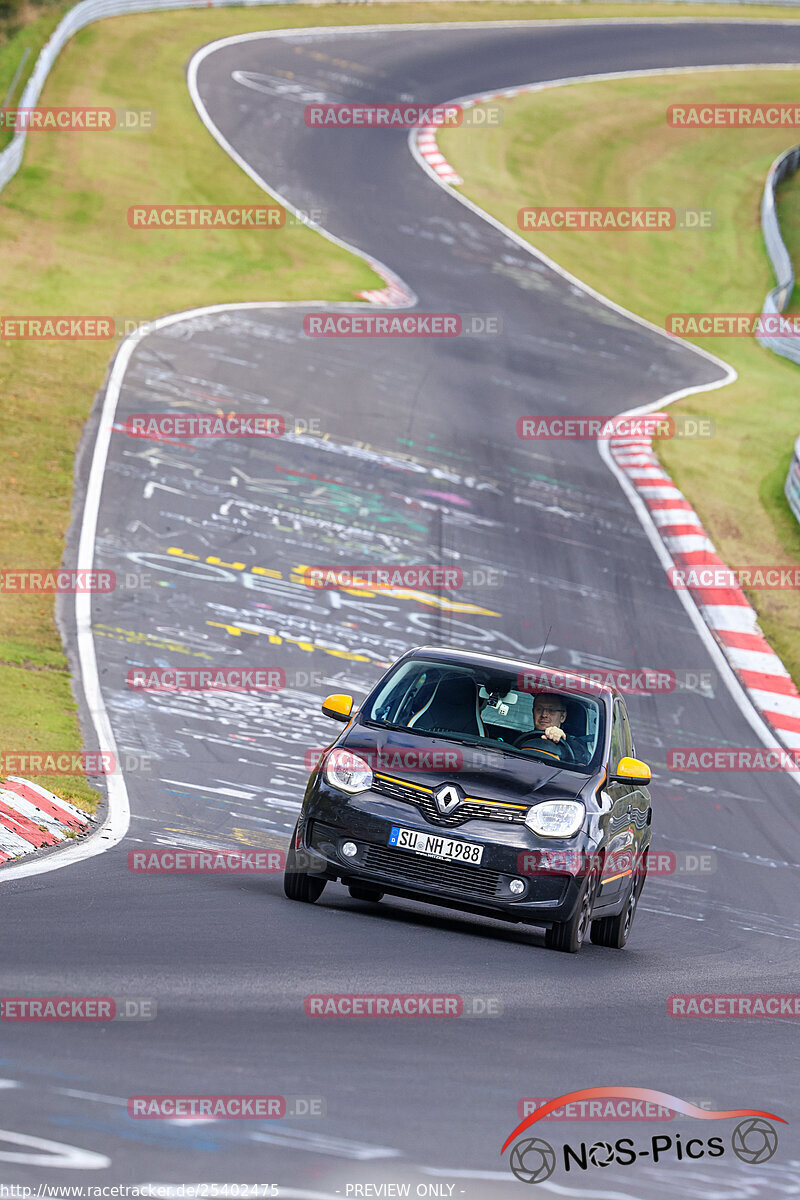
(33, 818)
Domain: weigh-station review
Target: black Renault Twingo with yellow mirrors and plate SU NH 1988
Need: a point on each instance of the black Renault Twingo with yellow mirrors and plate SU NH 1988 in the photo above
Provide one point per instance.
(484, 784)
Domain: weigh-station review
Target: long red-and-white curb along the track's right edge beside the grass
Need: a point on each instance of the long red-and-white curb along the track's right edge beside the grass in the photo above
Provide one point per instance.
(726, 611)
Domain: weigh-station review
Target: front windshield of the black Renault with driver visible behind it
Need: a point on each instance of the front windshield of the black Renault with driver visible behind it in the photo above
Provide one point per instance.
(490, 707)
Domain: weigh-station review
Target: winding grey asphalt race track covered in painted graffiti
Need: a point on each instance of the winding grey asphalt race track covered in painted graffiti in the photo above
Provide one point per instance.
(414, 459)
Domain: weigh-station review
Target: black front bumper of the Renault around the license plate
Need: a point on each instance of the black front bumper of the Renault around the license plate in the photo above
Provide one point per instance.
(330, 819)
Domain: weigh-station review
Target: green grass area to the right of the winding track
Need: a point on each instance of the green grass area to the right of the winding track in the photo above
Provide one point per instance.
(546, 154)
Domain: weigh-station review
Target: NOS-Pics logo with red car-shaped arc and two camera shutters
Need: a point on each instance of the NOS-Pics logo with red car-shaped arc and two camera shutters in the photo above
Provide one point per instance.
(533, 1160)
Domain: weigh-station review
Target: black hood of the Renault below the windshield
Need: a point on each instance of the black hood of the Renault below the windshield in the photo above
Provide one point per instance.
(480, 772)
